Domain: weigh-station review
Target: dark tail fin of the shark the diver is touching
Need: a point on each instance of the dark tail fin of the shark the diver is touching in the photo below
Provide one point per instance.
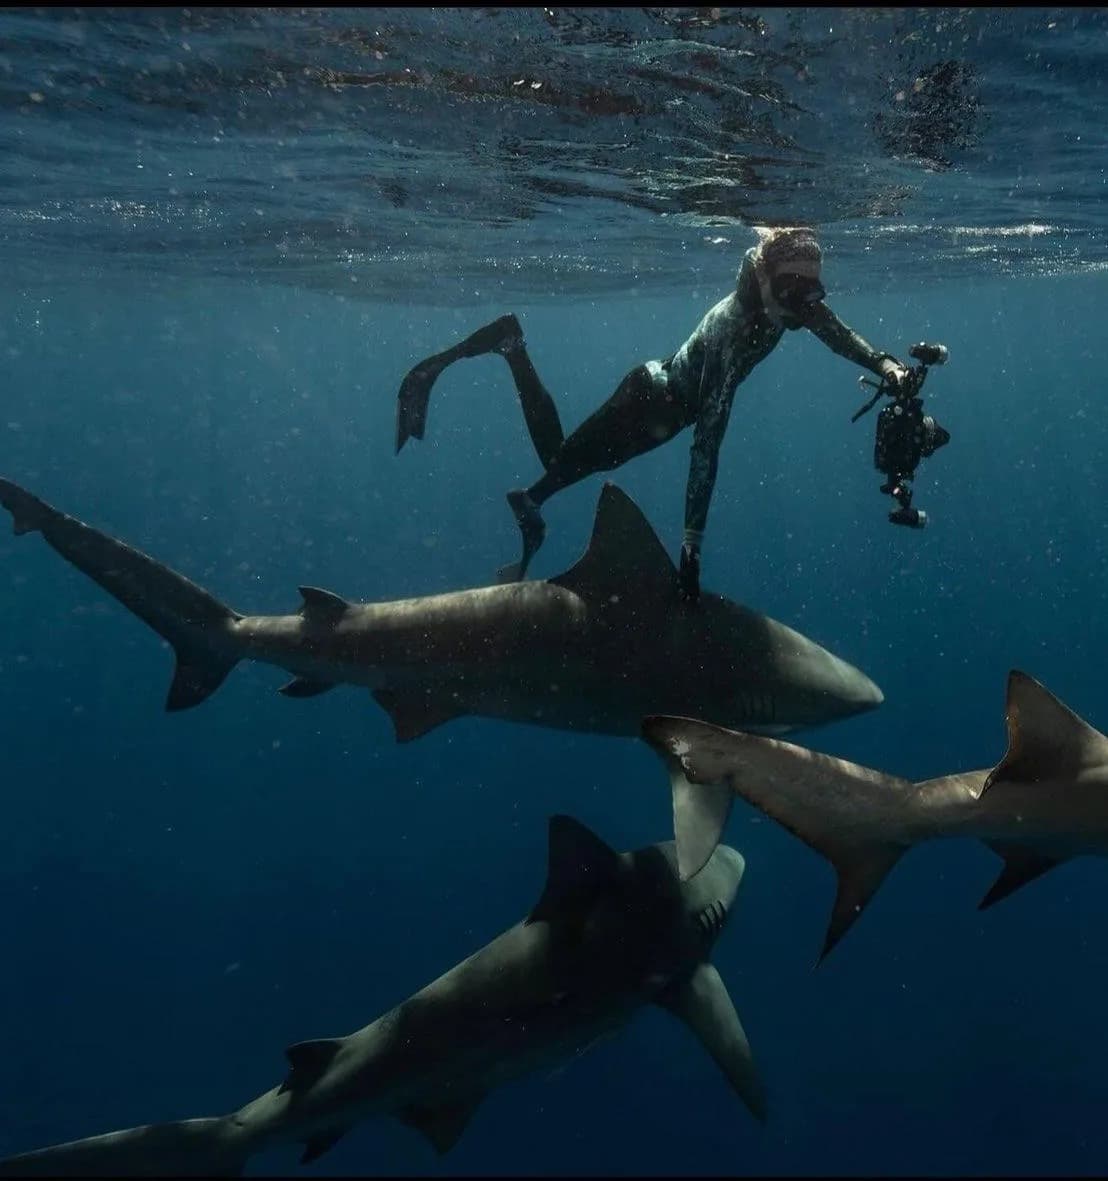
(191, 619)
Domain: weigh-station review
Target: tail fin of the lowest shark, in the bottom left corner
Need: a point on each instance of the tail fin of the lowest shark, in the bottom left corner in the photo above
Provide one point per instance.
(188, 1149)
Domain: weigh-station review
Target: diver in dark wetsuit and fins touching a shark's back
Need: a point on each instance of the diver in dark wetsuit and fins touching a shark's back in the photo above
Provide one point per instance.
(778, 289)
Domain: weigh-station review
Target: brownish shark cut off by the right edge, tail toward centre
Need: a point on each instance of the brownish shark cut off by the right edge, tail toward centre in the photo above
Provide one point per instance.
(1045, 802)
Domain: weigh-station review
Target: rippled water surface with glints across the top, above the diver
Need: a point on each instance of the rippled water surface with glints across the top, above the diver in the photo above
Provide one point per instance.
(447, 155)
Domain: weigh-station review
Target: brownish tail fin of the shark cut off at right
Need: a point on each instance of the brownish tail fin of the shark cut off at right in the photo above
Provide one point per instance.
(851, 814)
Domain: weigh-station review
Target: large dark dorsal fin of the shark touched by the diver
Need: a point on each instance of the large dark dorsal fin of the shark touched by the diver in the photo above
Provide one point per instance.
(624, 556)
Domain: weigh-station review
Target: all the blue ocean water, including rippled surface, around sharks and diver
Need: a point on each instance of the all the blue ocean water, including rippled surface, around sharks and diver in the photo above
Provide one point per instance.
(227, 234)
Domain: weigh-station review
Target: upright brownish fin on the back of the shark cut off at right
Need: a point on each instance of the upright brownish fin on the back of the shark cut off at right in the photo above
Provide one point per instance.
(1046, 739)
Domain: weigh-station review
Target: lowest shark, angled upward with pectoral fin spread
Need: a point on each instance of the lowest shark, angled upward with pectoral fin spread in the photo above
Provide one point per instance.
(611, 932)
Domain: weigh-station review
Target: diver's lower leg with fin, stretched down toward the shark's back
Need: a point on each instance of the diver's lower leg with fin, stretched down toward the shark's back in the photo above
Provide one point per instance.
(641, 416)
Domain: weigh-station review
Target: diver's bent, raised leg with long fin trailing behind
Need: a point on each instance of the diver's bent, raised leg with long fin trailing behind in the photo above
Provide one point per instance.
(505, 337)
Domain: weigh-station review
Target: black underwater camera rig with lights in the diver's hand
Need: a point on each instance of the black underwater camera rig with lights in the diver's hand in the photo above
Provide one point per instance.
(905, 434)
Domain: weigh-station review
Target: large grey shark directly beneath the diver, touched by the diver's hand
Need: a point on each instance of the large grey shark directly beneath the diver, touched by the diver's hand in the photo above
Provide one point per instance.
(595, 649)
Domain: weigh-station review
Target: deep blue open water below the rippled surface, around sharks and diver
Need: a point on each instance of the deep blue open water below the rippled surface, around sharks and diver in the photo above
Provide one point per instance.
(187, 895)
